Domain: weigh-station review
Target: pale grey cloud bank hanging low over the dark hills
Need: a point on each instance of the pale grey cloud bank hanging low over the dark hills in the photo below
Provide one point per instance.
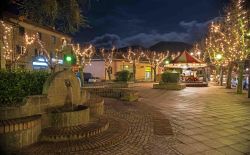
(193, 31)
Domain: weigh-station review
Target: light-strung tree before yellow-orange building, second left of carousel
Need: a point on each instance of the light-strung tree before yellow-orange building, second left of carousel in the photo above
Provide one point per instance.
(133, 57)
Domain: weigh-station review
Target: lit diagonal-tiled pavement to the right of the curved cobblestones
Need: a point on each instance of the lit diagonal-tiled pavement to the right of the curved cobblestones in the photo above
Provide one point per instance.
(209, 121)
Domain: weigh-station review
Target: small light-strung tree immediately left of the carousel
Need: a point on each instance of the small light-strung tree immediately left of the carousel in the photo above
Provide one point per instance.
(155, 59)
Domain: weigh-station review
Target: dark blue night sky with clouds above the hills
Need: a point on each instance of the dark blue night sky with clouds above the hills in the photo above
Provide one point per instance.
(146, 22)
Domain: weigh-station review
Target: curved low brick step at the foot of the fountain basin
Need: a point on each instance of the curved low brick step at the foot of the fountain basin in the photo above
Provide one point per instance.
(75, 132)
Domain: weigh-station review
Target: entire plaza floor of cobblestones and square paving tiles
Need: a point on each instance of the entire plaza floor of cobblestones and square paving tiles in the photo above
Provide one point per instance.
(196, 121)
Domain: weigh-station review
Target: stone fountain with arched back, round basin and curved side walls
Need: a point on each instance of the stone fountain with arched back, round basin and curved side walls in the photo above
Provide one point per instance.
(53, 116)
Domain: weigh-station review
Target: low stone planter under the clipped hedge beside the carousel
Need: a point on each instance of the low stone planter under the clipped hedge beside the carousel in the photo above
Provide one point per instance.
(169, 86)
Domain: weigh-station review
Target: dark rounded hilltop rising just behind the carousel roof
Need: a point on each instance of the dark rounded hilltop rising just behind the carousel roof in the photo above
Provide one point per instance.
(171, 46)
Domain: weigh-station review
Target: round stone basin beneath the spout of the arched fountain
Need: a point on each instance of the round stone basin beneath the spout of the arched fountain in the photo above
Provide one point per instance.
(65, 118)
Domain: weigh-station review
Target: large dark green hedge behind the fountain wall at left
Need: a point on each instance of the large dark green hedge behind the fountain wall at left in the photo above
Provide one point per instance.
(16, 85)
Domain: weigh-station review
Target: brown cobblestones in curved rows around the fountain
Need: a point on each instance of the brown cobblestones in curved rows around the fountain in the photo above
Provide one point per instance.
(134, 128)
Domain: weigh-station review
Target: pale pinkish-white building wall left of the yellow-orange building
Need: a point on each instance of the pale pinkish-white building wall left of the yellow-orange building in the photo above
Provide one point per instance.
(96, 68)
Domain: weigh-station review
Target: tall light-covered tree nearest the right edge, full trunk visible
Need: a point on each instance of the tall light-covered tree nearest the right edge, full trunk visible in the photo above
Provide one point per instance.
(236, 24)
